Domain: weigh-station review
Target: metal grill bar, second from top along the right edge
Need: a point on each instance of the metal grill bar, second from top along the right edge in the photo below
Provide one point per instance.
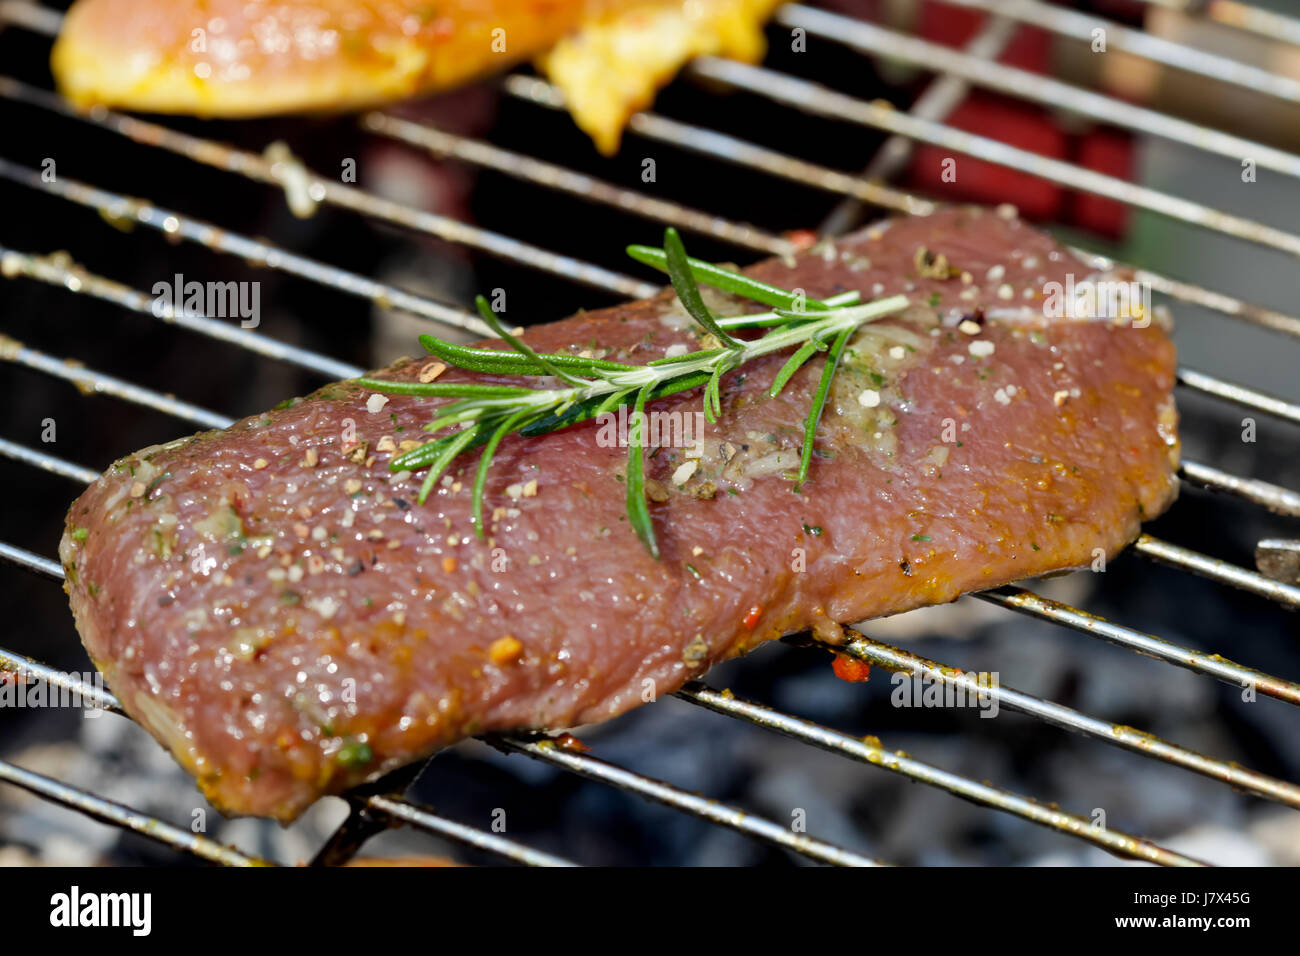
(1080, 27)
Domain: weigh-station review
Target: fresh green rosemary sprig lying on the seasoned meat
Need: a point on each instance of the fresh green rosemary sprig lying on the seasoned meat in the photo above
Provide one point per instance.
(483, 414)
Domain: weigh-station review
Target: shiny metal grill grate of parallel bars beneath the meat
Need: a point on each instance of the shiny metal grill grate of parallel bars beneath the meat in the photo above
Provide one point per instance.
(383, 807)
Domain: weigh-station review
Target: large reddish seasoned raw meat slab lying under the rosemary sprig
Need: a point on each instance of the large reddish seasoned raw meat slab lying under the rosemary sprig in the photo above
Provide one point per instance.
(279, 611)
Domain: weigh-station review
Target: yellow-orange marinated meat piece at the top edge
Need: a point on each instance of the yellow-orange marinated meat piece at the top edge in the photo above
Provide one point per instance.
(255, 58)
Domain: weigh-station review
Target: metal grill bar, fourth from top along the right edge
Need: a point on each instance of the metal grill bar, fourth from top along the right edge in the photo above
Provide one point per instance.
(814, 98)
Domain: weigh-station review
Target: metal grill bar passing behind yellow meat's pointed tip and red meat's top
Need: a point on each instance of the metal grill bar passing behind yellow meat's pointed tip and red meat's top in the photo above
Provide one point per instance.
(742, 153)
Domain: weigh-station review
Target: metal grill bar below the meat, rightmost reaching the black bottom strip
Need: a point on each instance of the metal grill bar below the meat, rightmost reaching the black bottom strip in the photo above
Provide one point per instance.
(870, 752)
